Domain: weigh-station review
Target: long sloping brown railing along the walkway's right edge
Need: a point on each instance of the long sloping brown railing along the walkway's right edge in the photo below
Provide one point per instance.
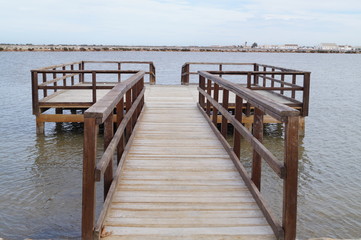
(287, 169)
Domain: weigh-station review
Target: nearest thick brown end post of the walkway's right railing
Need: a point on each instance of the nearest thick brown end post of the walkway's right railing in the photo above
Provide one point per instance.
(290, 181)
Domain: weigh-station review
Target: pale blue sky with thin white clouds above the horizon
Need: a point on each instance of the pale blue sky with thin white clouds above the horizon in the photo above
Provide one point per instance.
(183, 22)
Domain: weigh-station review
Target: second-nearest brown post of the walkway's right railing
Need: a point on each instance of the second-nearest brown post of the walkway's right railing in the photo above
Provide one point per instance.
(257, 160)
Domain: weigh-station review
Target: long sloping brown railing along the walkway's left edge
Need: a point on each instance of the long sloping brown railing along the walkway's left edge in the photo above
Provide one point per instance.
(132, 91)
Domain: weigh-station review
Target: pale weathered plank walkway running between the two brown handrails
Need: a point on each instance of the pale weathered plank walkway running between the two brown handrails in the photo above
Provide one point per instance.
(178, 182)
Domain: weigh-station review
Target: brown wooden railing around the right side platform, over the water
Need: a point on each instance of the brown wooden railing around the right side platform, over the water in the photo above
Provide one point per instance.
(291, 85)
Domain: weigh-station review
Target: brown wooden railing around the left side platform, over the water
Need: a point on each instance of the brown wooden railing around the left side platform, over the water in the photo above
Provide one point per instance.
(78, 75)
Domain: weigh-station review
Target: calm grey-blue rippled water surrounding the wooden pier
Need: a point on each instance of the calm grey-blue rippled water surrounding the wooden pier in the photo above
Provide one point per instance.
(40, 176)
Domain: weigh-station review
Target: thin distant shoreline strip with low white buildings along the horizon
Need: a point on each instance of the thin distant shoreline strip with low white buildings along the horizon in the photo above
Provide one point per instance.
(115, 48)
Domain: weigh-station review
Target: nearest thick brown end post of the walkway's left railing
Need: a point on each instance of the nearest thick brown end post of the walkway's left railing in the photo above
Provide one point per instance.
(88, 192)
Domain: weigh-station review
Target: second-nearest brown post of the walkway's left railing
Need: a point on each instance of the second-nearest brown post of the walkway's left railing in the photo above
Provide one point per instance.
(108, 135)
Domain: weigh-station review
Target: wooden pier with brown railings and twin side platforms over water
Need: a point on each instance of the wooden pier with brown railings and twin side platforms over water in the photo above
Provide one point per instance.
(175, 175)
